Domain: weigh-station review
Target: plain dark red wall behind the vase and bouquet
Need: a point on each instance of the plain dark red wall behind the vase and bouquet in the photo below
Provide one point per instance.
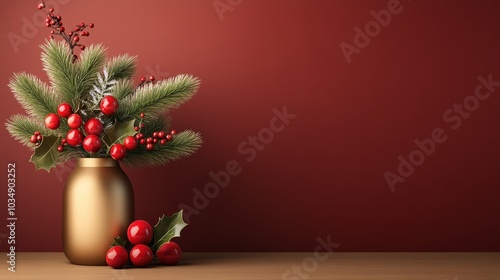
(324, 173)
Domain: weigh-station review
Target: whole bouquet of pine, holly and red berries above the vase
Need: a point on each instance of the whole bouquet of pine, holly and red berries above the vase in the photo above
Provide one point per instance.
(87, 89)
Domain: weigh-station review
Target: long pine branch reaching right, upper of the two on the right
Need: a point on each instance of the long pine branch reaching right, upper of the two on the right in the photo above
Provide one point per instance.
(157, 99)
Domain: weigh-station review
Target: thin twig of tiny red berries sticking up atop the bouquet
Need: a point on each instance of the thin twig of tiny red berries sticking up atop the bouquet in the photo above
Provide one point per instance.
(73, 37)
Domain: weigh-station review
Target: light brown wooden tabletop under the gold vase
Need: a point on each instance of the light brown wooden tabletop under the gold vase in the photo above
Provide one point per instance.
(293, 266)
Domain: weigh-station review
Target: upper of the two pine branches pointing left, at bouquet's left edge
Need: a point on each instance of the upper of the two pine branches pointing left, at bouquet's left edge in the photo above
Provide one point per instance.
(33, 95)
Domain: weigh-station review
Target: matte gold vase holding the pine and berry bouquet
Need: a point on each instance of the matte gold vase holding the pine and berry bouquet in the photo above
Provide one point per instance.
(98, 204)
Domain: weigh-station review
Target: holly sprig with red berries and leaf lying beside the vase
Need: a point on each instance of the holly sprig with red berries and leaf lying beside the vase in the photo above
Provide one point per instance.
(149, 242)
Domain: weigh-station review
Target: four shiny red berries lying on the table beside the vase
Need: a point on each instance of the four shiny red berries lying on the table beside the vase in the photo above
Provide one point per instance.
(140, 234)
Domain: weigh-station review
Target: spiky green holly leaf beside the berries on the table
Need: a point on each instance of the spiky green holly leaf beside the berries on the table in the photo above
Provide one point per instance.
(168, 228)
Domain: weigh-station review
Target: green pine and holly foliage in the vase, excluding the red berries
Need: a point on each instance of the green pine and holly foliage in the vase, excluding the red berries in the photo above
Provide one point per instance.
(83, 83)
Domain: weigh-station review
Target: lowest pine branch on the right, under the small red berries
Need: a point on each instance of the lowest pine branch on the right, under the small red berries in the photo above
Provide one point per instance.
(182, 145)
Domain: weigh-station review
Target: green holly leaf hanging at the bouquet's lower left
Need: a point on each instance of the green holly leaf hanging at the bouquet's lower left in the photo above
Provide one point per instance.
(46, 155)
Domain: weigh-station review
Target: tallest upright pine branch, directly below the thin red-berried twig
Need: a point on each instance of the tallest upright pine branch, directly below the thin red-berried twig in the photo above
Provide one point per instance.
(56, 59)
